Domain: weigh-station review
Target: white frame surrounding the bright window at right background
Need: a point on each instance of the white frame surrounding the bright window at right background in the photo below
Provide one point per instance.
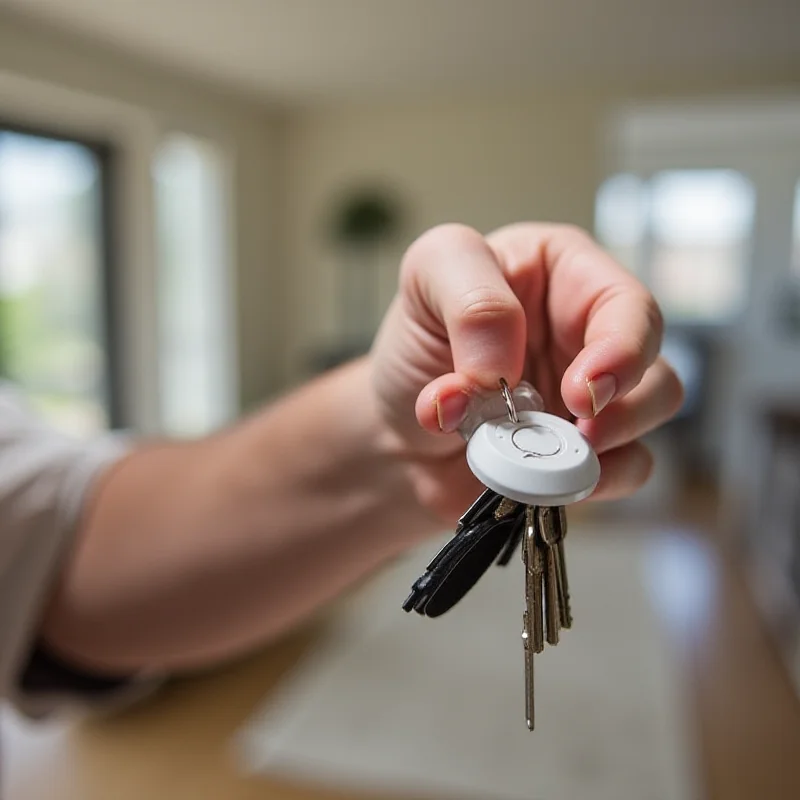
(756, 137)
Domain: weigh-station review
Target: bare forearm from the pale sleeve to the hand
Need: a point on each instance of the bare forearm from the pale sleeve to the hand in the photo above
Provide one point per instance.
(190, 553)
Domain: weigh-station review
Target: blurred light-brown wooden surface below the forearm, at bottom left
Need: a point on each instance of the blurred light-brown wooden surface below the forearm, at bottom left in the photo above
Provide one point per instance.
(176, 746)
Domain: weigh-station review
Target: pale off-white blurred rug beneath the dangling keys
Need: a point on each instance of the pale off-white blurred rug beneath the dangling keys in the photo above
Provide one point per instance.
(395, 703)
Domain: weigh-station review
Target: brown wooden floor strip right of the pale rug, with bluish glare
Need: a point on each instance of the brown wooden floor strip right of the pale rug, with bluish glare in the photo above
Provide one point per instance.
(745, 708)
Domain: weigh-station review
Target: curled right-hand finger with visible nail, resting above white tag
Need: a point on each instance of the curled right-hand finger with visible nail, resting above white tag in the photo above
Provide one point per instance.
(594, 307)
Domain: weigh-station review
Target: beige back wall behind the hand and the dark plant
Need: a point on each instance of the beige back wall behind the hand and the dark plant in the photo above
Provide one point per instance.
(481, 161)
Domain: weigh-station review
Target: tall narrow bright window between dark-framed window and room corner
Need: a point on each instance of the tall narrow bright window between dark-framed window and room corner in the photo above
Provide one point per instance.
(197, 364)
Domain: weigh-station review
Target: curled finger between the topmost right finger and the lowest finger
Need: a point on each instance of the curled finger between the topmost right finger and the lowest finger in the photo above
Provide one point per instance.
(654, 401)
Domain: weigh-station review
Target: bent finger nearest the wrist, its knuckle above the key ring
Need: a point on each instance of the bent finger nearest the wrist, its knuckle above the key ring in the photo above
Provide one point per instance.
(454, 287)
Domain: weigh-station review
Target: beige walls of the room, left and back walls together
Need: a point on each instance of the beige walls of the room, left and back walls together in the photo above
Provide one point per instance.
(482, 160)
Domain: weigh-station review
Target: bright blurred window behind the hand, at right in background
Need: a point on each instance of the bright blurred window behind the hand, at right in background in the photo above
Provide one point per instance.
(687, 234)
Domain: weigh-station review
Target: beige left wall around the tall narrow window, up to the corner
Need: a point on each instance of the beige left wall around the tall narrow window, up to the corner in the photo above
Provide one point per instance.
(146, 102)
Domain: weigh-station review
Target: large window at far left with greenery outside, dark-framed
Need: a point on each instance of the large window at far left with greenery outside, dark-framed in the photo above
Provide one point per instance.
(53, 278)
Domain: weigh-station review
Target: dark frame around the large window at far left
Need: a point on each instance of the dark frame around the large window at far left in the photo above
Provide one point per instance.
(107, 155)
